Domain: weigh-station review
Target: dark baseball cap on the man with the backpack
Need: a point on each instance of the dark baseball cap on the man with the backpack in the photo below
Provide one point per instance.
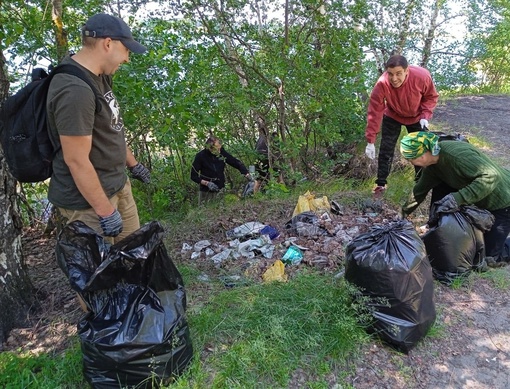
(108, 26)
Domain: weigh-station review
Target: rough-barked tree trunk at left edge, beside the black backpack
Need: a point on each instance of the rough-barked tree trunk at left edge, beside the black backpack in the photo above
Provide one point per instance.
(16, 290)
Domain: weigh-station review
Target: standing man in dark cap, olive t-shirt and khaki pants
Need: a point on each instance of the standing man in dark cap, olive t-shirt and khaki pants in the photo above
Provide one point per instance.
(89, 181)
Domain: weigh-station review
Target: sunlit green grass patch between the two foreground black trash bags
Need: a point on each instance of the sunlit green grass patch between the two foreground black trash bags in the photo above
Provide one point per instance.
(258, 335)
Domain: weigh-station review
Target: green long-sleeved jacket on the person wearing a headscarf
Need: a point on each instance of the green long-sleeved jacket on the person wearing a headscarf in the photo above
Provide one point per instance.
(479, 181)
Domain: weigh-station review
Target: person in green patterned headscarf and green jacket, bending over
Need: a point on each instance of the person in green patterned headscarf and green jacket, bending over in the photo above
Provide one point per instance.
(473, 178)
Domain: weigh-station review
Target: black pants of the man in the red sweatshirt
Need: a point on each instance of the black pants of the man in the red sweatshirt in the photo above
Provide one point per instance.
(390, 132)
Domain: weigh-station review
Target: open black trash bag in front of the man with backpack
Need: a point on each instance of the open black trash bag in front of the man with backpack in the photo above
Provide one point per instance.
(136, 333)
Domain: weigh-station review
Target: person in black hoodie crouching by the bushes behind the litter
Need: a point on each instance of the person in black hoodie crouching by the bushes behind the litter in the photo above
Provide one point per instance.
(208, 169)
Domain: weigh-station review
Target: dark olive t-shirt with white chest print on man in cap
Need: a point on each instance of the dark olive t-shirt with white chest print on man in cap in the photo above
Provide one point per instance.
(71, 109)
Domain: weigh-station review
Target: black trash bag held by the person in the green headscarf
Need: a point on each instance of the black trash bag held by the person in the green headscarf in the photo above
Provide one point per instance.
(455, 245)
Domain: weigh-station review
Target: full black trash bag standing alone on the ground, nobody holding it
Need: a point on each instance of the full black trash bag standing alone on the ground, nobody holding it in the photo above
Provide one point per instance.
(390, 267)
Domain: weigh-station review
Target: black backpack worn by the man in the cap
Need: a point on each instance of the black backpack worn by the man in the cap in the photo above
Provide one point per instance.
(24, 132)
